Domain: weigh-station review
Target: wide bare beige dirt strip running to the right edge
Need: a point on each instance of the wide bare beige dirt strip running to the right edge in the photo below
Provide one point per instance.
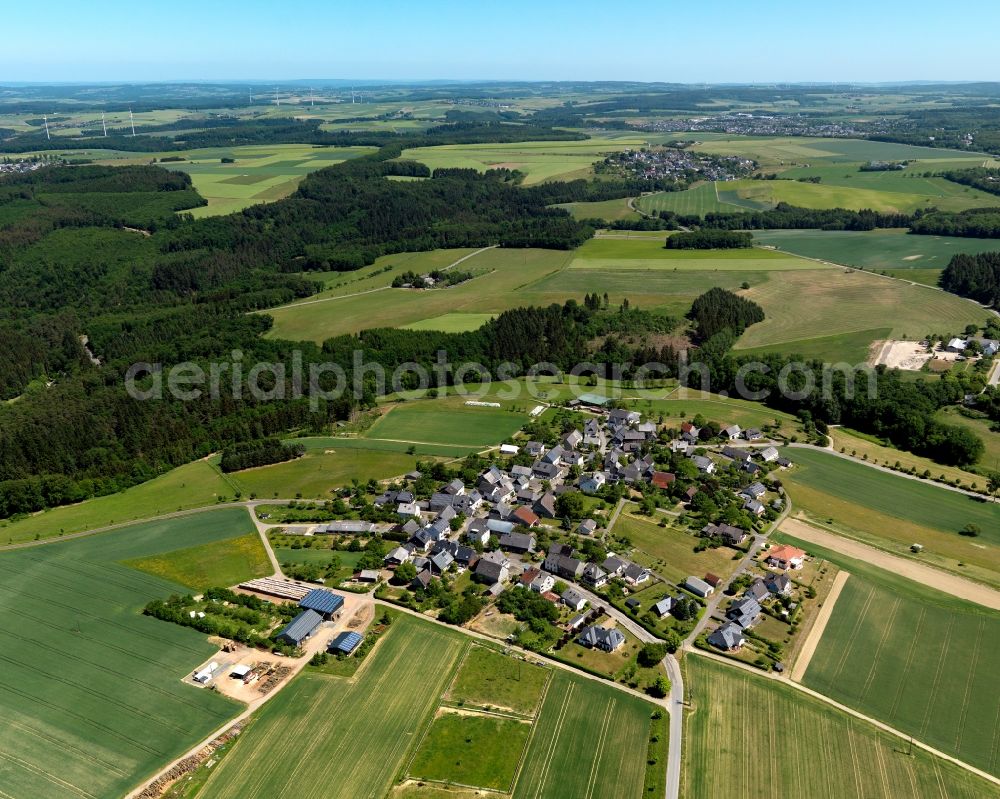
(925, 575)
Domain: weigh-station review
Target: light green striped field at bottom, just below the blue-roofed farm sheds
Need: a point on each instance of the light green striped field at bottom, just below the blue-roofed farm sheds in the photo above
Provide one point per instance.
(325, 737)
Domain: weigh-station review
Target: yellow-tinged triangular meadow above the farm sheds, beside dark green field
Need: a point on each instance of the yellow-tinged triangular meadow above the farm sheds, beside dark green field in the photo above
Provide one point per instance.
(217, 563)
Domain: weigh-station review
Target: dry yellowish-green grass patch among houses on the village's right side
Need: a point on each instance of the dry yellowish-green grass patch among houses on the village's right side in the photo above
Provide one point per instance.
(673, 549)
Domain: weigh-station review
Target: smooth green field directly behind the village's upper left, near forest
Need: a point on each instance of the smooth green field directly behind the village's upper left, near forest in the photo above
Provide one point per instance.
(447, 421)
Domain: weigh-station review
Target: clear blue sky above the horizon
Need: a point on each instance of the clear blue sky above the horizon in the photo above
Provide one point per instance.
(664, 40)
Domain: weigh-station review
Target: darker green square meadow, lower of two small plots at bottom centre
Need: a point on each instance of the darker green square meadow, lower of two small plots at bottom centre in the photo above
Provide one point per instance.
(482, 751)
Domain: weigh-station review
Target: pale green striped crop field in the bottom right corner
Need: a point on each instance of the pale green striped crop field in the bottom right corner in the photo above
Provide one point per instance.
(749, 736)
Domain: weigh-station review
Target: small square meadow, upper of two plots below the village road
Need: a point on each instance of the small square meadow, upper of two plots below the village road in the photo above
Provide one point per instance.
(489, 679)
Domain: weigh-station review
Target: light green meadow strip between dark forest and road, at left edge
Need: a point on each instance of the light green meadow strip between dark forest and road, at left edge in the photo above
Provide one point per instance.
(193, 485)
